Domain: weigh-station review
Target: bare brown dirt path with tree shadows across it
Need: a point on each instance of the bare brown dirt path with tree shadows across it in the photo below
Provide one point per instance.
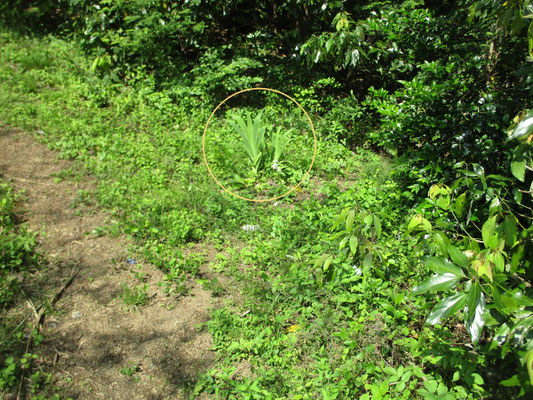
(91, 337)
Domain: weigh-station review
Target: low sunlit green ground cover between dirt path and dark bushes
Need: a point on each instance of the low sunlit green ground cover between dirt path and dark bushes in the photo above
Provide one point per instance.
(308, 329)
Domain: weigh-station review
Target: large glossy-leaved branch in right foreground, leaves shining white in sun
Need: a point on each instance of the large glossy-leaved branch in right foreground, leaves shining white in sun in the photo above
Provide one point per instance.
(486, 272)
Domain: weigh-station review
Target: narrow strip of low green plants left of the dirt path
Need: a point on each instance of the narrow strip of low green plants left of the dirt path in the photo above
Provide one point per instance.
(21, 280)
